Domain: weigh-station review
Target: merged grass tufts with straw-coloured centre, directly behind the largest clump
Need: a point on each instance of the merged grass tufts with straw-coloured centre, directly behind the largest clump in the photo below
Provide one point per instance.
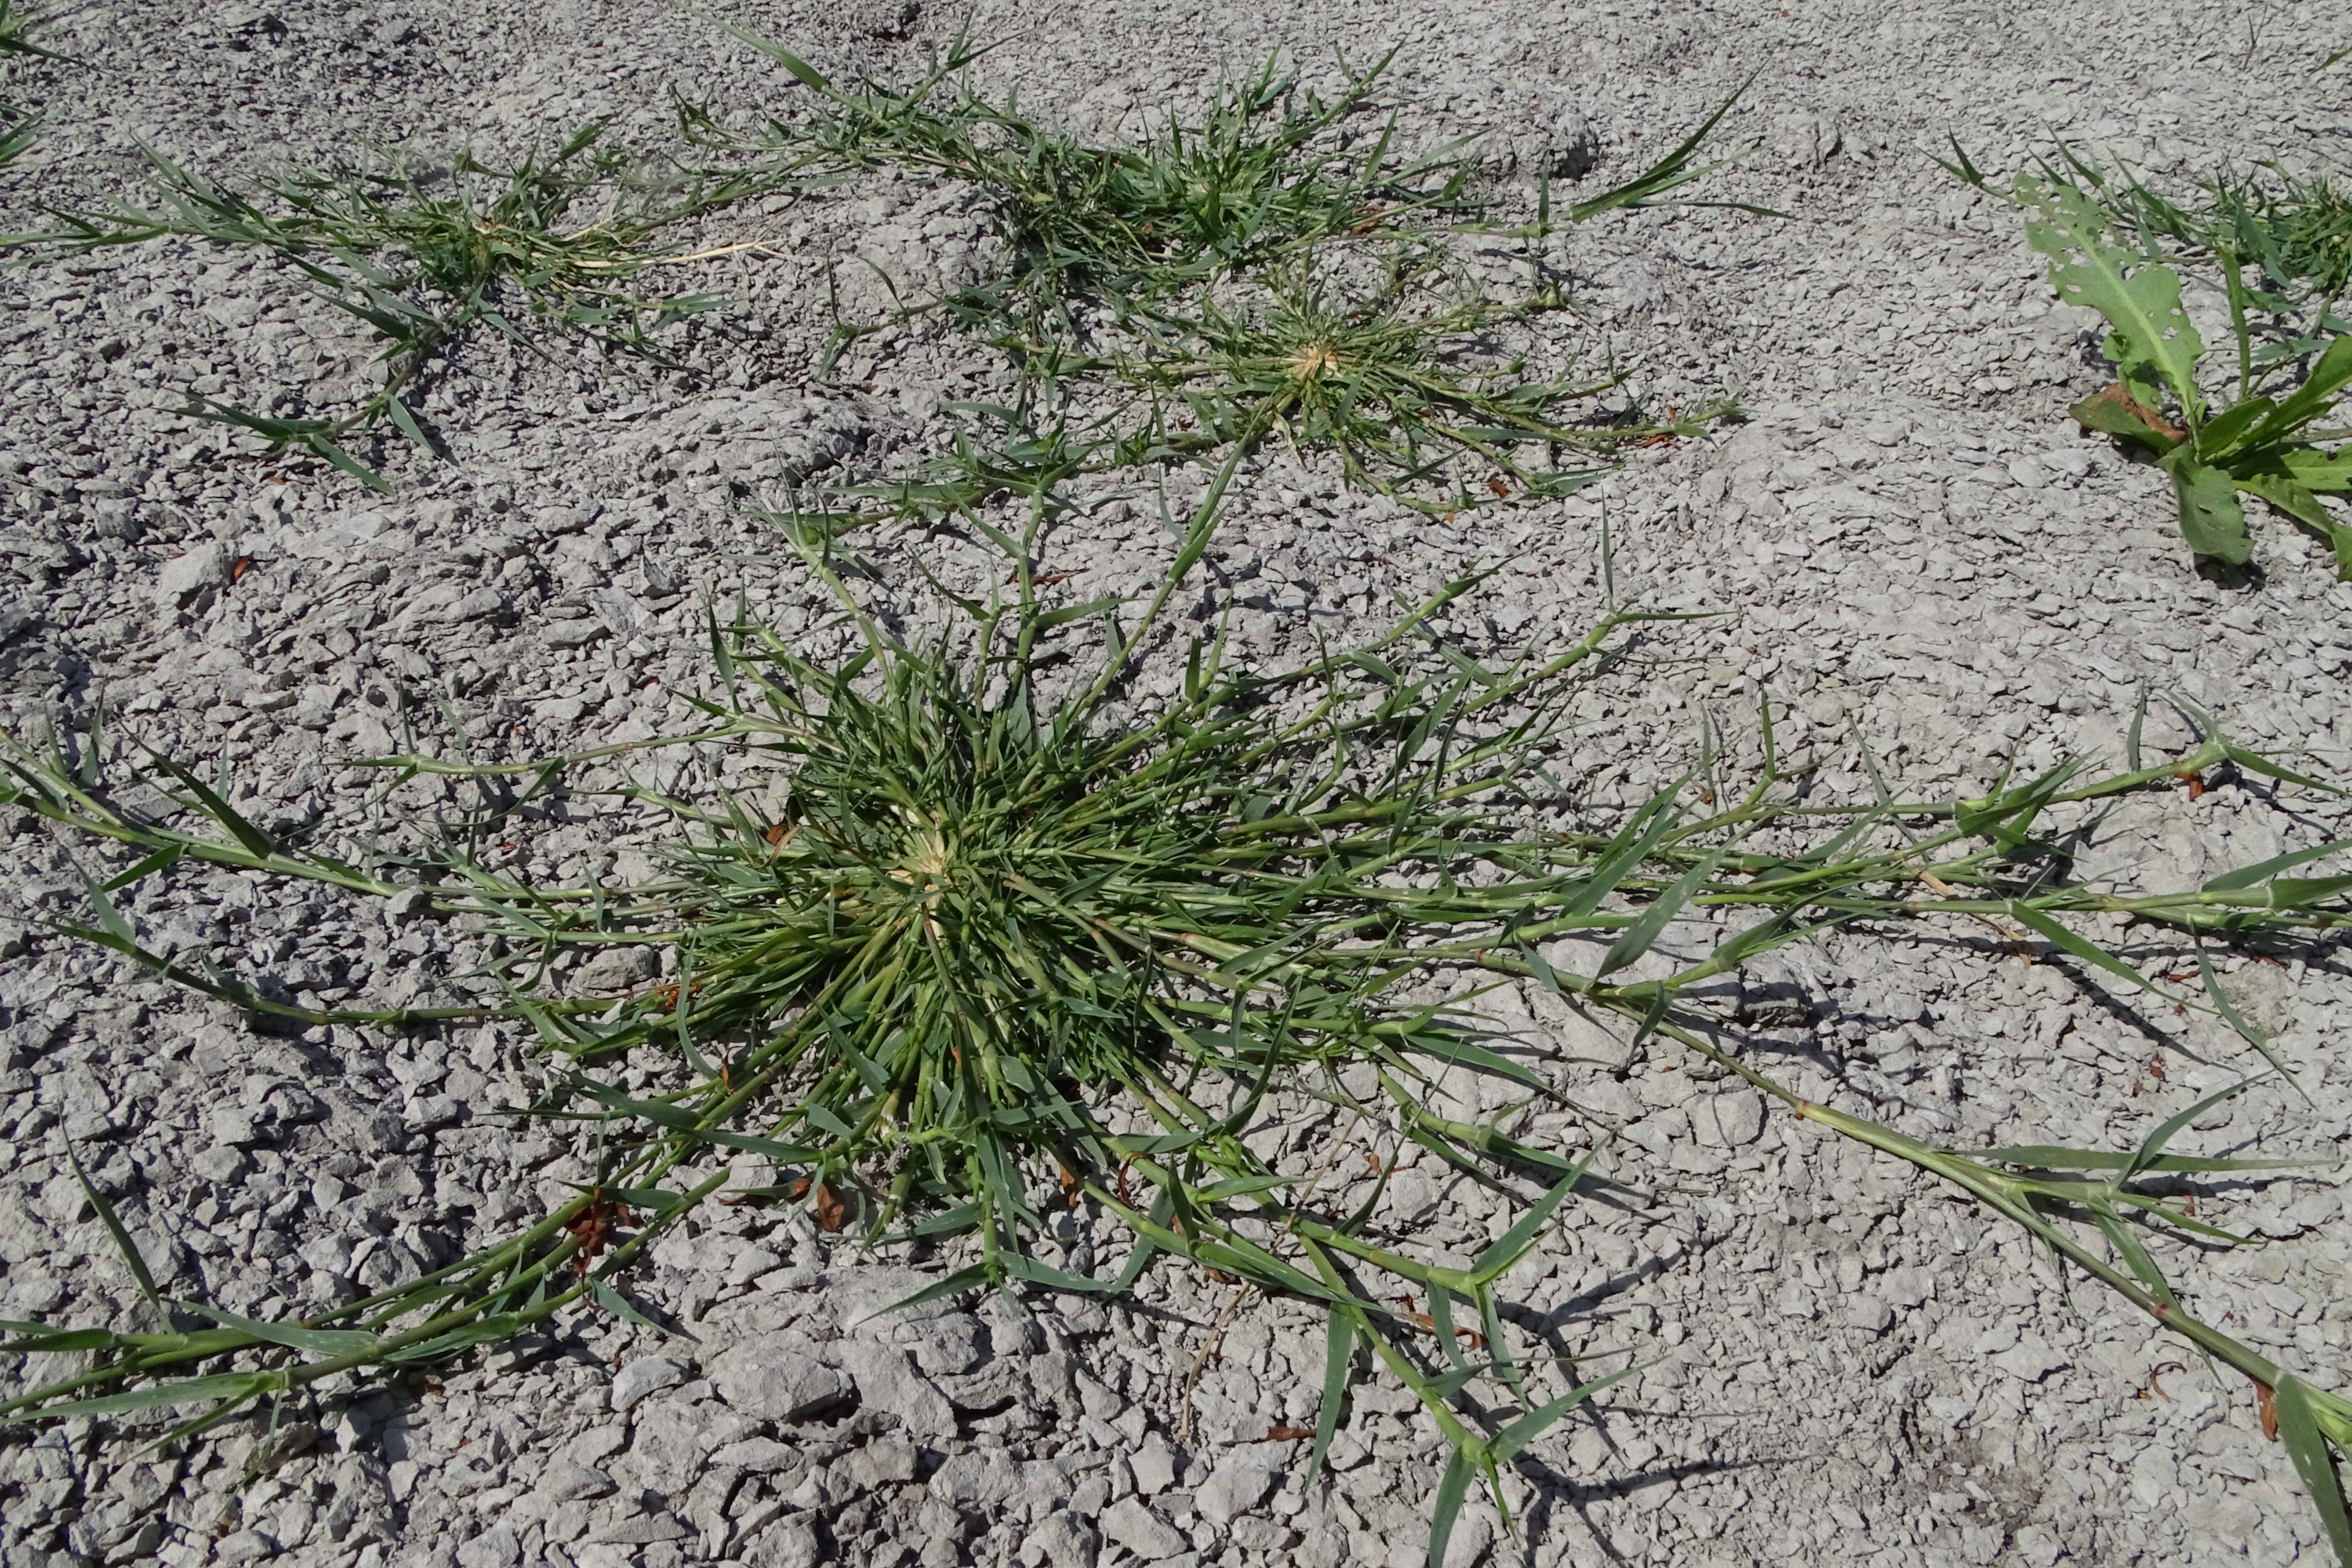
(1278, 269)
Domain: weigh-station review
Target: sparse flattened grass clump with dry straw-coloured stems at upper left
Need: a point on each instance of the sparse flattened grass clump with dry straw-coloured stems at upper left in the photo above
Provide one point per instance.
(425, 257)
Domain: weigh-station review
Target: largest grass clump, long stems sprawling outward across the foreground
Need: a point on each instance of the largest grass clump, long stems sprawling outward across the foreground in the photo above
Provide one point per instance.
(989, 939)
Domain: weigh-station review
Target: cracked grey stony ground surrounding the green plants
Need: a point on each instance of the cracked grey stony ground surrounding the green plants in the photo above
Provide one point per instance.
(1909, 542)
